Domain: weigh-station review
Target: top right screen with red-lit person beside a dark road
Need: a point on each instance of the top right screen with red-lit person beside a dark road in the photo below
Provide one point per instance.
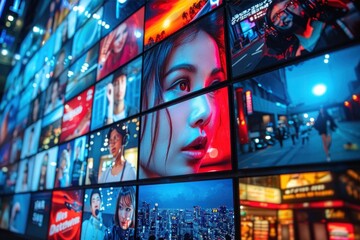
(267, 39)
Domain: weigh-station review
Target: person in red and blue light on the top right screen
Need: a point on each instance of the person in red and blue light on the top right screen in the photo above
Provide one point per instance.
(296, 27)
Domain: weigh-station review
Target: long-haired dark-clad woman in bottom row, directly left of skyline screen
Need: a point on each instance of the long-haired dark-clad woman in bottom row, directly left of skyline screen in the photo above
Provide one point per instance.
(124, 216)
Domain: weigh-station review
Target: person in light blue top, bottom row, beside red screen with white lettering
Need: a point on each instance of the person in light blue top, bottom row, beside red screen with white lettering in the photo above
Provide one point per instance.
(93, 228)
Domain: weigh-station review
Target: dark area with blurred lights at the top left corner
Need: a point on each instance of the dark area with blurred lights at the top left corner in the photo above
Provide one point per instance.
(16, 18)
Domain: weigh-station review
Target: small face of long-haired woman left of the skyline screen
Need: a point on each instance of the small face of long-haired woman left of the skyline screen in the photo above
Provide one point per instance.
(125, 212)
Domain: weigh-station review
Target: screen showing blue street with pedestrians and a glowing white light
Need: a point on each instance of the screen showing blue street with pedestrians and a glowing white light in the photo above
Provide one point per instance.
(300, 114)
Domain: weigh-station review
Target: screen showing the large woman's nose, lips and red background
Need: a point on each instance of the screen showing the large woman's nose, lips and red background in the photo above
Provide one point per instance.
(190, 137)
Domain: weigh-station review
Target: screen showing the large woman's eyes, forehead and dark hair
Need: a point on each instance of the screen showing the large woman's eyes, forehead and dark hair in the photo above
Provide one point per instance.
(185, 62)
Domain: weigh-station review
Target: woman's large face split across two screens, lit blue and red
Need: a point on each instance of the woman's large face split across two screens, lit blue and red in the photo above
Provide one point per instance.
(188, 128)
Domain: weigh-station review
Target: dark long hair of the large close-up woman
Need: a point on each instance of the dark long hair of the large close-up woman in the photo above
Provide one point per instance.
(155, 61)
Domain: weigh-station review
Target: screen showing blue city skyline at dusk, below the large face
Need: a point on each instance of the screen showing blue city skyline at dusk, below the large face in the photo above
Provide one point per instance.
(193, 210)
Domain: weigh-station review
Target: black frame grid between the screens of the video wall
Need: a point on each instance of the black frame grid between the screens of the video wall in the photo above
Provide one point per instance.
(233, 174)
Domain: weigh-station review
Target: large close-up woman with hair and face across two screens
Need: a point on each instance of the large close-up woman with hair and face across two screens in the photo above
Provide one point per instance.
(175, 140)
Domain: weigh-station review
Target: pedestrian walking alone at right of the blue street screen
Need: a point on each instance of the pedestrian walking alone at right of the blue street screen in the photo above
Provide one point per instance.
(325, 125)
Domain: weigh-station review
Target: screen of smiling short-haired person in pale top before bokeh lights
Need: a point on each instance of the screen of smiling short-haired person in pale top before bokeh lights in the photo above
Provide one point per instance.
(113, 153)
